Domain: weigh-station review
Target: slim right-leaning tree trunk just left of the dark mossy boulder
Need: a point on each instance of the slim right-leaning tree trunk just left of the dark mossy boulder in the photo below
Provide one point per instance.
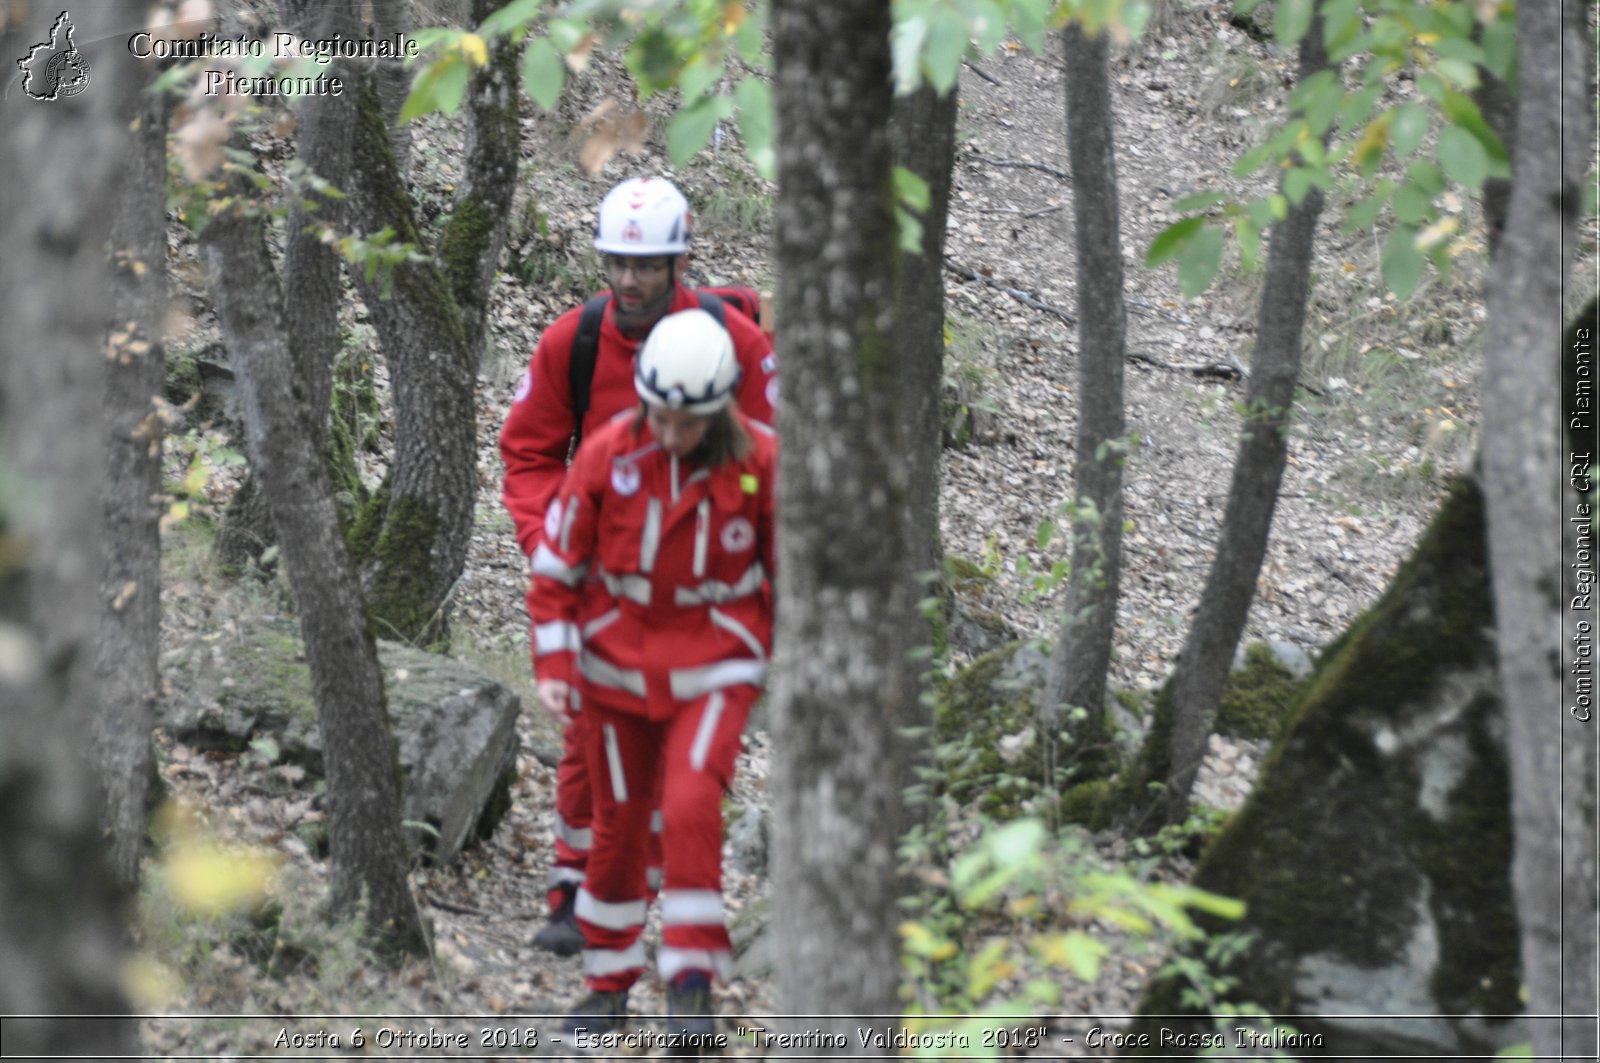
(1254, 492)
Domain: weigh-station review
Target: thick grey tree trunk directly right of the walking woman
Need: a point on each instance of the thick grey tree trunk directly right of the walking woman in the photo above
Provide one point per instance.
(842, 676)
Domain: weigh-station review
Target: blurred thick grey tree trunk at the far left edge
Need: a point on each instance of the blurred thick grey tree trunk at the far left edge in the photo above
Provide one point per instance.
(62, 910)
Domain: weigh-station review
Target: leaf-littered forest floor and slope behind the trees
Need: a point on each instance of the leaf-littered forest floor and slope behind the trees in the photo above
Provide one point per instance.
(1386, 414)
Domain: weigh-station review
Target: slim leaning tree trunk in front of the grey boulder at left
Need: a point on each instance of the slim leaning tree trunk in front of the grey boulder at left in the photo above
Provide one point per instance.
(364, 824)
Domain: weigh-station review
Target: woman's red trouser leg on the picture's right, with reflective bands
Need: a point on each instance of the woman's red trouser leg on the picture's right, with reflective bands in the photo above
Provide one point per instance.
(700, 752)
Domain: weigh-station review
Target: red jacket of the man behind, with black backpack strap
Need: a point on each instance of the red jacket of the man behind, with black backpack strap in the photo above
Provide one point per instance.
(540, 425)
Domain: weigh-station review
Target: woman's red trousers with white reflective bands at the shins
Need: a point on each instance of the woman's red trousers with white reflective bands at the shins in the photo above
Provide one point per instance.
(682, 766)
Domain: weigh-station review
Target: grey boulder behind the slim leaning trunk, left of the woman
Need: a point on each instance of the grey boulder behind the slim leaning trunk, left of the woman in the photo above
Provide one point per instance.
(454, 728)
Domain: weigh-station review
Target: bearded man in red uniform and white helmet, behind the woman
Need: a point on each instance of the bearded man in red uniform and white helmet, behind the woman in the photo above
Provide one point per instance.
(644, 238)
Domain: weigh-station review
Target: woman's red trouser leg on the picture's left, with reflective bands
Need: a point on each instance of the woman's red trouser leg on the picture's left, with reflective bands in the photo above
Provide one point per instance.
(623, 755)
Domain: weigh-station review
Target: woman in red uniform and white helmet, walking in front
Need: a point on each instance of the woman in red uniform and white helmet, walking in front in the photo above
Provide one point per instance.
(655, 622)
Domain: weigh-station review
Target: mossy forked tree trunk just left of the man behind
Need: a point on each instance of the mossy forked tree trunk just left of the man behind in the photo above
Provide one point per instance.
(431, 323)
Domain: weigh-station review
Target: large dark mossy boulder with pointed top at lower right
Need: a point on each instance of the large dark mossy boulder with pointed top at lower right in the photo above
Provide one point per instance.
(1375, 854)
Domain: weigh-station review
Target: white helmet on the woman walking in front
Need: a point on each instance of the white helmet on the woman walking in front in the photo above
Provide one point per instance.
(687, 363)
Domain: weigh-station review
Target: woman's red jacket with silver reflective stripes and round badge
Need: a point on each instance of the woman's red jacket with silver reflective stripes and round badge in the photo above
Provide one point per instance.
(649, 579)
